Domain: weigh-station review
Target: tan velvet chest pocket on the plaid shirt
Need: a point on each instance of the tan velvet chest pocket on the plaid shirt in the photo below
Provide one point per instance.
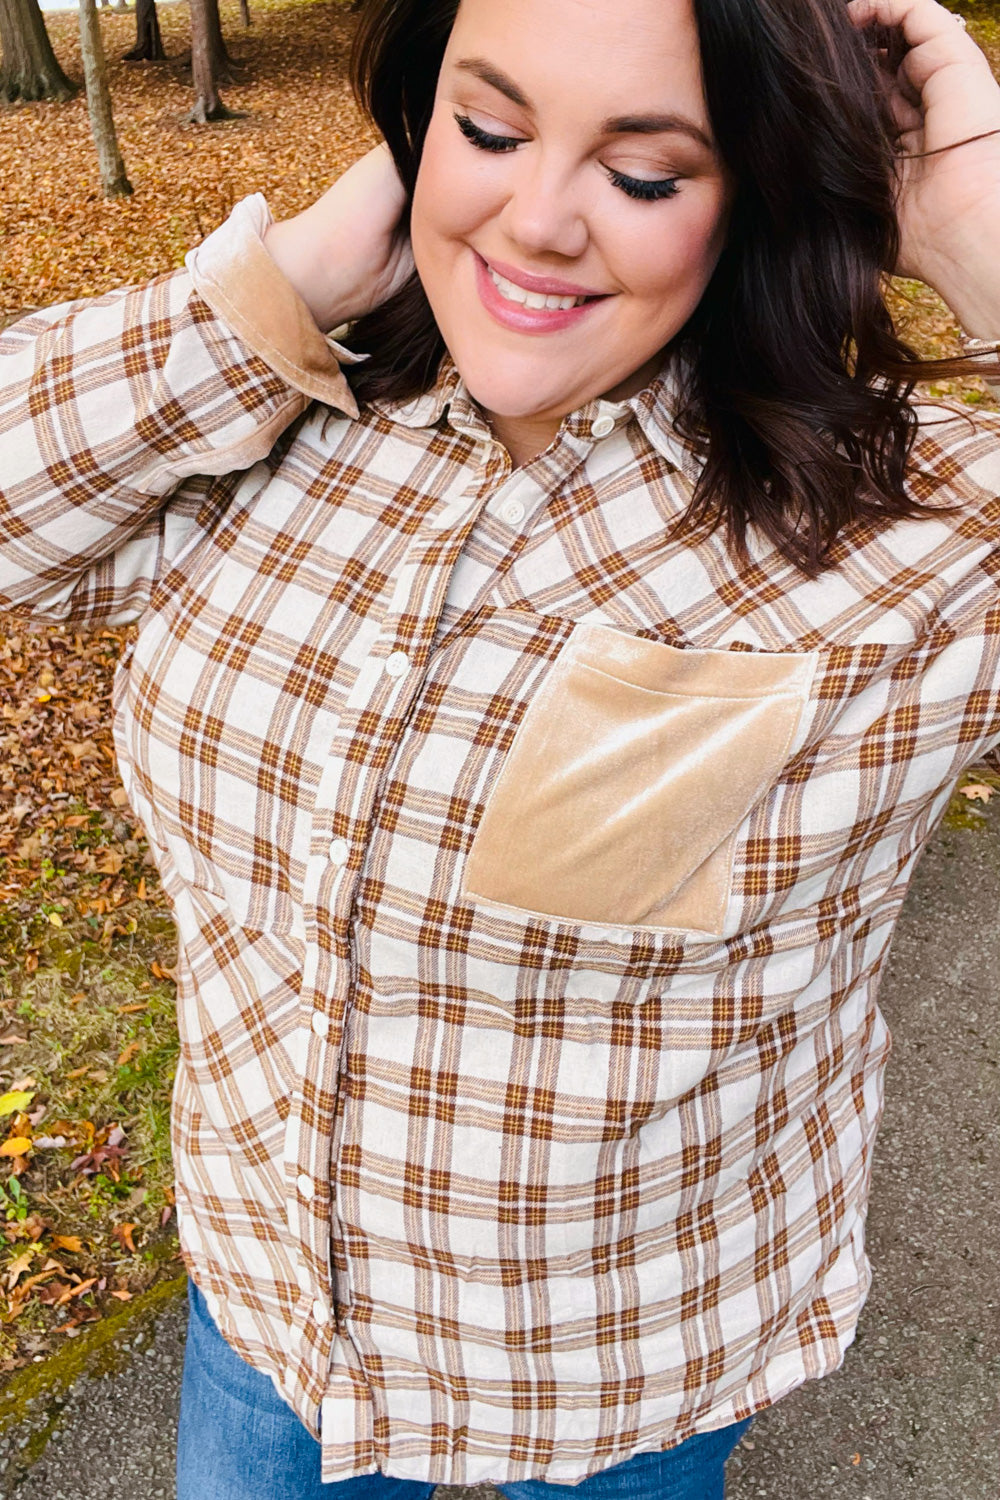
(629, 779)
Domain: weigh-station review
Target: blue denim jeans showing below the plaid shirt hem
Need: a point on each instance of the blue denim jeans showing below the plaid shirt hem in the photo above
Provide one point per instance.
(239, 1441)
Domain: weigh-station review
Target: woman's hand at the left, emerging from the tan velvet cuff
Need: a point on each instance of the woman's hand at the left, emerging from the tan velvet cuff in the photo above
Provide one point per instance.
(349, 253)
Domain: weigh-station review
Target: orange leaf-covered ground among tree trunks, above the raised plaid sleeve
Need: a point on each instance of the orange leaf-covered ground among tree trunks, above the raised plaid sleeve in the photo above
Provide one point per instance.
(62, 239)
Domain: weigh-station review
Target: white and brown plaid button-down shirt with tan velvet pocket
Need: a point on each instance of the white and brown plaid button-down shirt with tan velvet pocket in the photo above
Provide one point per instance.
(533, 874)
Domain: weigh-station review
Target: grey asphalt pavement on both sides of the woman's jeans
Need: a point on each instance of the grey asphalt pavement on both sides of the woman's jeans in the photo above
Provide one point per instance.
(915, 1412)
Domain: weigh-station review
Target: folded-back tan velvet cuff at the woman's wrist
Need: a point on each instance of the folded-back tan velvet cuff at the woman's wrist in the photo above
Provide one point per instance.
(235, 274)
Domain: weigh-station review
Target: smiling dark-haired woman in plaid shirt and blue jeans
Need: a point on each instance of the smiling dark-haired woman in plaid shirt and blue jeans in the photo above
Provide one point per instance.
(537, 739)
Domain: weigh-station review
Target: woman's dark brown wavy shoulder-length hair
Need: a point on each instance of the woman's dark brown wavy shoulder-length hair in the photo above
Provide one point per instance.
(795, 388)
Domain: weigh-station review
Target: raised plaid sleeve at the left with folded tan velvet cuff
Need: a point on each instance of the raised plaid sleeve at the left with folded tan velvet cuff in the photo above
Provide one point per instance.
(109, 406)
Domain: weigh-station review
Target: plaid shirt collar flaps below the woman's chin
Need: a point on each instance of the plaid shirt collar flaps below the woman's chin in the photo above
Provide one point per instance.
(653, 409)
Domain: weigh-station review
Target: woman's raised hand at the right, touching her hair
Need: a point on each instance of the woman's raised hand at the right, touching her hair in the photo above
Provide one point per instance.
(942, 94)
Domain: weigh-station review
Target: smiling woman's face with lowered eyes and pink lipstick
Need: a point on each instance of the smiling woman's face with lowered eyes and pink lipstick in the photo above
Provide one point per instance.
(570, 206)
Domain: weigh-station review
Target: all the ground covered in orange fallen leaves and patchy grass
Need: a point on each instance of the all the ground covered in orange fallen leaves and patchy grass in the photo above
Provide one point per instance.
(88, 1034)
